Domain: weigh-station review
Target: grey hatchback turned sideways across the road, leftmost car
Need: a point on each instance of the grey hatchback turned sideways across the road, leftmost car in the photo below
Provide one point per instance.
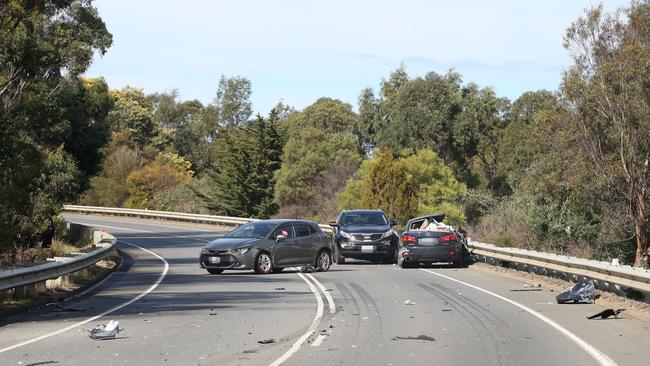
(269, 246)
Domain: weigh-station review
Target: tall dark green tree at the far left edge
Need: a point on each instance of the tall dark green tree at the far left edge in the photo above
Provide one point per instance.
(43, 45)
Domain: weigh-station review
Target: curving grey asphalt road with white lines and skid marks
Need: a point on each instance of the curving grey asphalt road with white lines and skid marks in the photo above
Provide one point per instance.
(174, 313)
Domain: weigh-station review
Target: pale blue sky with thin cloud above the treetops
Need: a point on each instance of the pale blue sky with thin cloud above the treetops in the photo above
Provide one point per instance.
(300, 50)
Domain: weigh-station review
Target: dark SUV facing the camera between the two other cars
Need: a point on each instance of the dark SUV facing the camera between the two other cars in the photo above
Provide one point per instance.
(364, 234)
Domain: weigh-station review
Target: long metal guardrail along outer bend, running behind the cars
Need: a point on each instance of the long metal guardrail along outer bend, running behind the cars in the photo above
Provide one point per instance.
(606, 273)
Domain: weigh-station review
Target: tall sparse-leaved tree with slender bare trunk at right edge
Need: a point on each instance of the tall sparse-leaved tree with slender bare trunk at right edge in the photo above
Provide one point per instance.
(606, 93)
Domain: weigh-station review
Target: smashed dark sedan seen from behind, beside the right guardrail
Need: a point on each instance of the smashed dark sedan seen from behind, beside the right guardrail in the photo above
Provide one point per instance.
(428, 240)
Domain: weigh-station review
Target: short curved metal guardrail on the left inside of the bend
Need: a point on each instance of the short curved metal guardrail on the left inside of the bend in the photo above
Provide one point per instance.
(43, 272)
